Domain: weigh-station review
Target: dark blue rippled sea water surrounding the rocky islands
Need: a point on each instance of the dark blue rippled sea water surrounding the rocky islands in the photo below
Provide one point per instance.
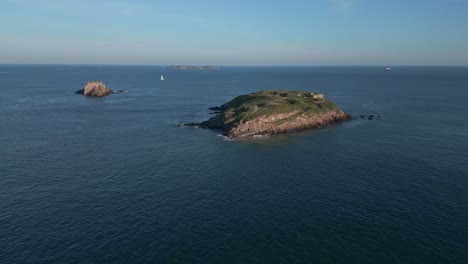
(115, 180)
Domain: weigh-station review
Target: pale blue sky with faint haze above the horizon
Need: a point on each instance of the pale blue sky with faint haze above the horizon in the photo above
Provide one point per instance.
(240, 32)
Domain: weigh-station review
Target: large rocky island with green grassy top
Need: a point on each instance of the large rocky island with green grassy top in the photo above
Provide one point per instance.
(272, 112)
